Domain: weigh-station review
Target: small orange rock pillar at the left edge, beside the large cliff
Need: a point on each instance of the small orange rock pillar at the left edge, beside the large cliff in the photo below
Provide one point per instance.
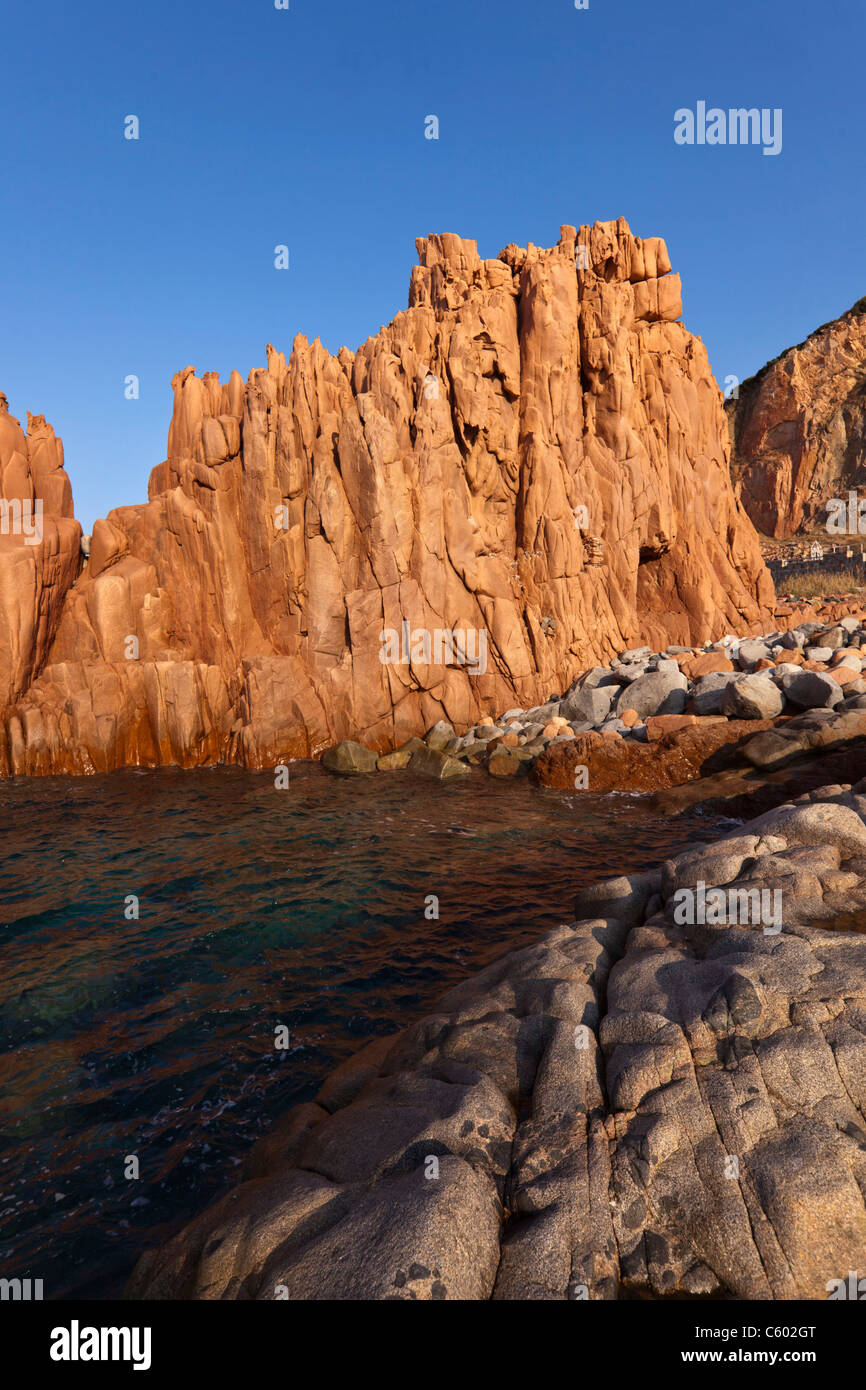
(40, 548)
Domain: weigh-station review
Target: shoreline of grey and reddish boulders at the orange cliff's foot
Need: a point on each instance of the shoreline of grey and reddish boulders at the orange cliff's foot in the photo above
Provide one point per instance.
(657, 721)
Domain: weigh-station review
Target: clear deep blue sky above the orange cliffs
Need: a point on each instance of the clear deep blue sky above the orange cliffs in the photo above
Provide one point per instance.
(305, 127)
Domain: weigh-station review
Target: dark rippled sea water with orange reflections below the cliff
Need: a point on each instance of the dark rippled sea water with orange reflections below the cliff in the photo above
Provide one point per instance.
(155, 1038)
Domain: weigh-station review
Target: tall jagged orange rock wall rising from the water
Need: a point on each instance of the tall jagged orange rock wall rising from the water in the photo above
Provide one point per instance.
(430, 479)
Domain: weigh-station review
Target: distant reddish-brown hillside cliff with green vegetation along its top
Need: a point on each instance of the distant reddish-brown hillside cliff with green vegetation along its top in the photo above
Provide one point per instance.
(800, 429)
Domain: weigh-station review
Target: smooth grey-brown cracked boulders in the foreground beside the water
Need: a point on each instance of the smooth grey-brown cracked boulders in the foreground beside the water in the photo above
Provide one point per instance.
(664, 1099)
